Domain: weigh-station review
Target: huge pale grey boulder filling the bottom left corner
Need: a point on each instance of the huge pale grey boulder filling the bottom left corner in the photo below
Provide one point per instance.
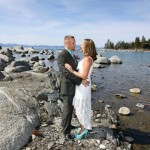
(19, 115)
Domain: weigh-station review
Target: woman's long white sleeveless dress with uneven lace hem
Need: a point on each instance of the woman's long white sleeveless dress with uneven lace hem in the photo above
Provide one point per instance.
(82, 100)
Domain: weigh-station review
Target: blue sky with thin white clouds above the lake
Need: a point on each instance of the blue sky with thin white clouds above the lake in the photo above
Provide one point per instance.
(39, 22)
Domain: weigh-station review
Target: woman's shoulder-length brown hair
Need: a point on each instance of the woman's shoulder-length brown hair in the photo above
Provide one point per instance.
(90, 49)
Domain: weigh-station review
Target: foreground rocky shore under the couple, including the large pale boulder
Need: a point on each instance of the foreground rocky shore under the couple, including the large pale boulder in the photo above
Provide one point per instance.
(45, 108)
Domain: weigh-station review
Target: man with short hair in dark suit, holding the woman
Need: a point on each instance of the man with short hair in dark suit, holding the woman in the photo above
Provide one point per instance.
(68, 83)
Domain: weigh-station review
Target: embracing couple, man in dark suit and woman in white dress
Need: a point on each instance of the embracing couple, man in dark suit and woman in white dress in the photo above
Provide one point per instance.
(76, 85)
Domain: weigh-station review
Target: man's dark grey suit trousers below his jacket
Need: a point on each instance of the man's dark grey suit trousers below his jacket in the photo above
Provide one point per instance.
(67, 113)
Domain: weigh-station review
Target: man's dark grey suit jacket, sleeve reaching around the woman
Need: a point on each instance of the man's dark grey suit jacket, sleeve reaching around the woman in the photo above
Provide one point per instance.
(68, 80)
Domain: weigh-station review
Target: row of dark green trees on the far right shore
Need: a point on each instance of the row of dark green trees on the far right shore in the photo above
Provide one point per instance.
(137, 44)
